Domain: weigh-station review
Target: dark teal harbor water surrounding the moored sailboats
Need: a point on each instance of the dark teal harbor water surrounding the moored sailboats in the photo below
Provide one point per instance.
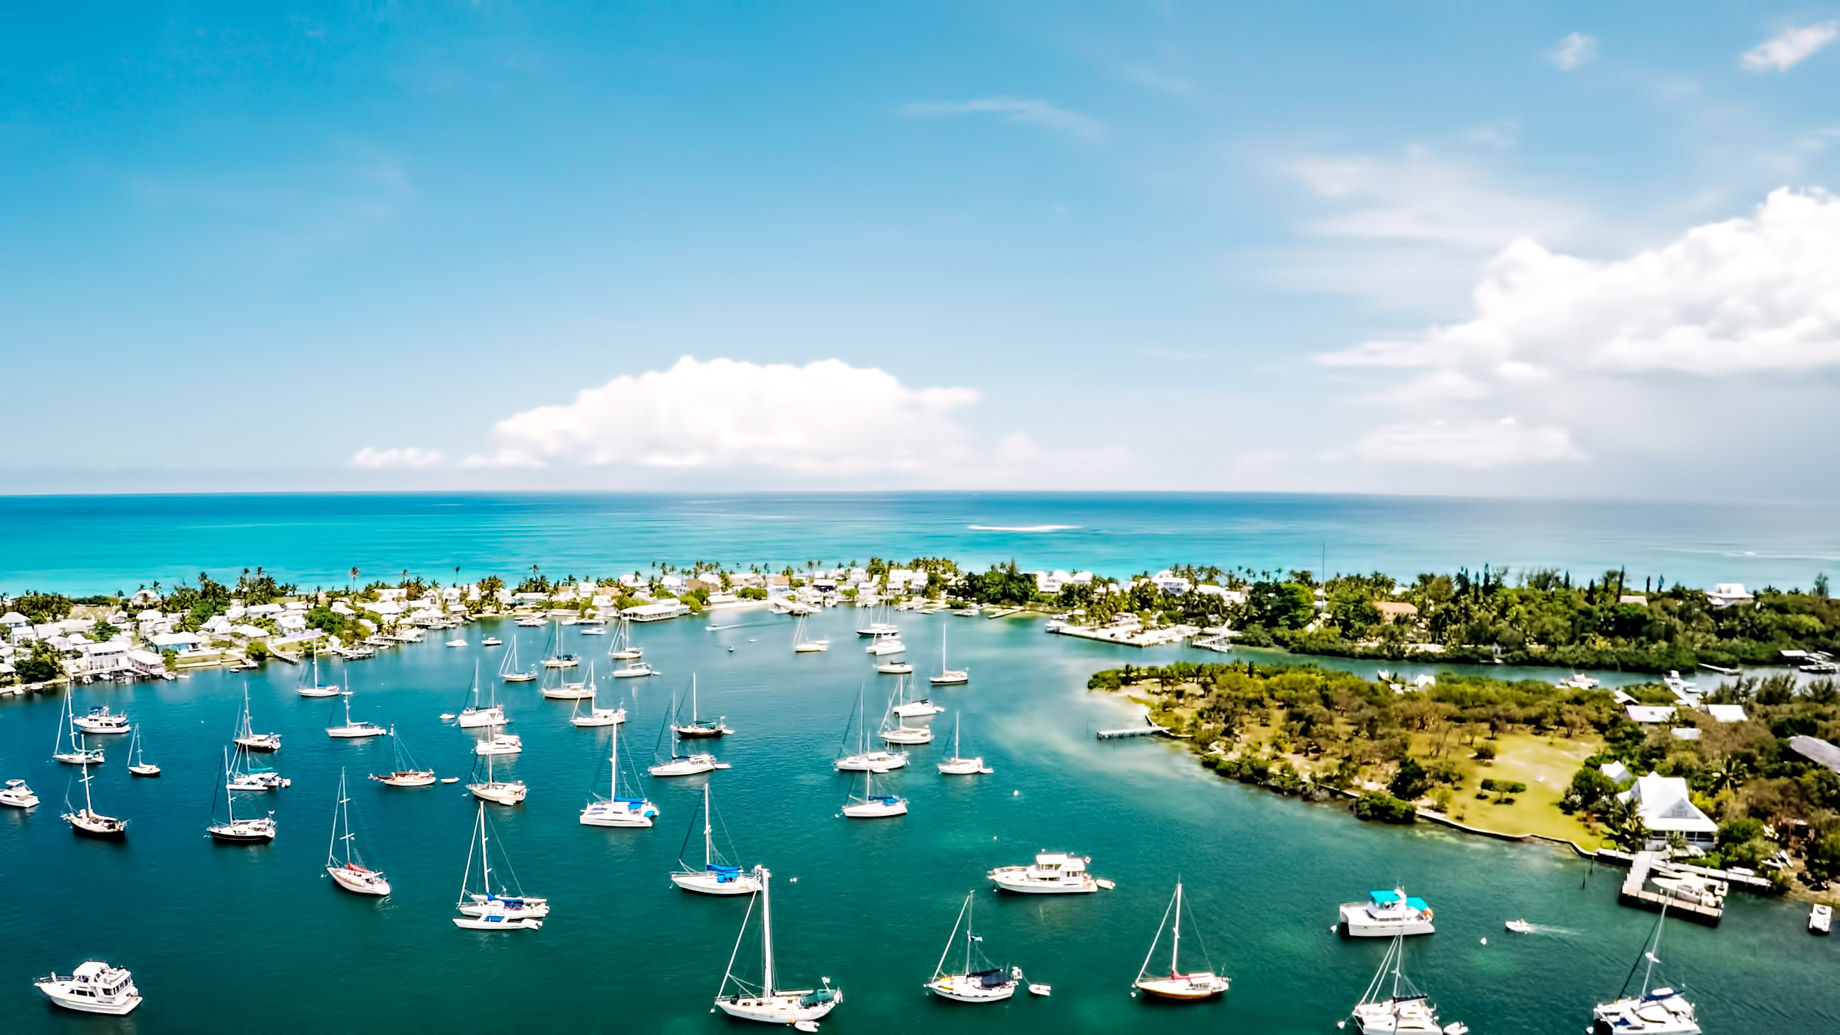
(224, 936)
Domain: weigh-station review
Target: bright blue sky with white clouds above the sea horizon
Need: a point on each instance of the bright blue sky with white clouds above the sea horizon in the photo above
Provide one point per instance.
(1379, 248)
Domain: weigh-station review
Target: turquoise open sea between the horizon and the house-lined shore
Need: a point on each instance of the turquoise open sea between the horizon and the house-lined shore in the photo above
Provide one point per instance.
(98, 544)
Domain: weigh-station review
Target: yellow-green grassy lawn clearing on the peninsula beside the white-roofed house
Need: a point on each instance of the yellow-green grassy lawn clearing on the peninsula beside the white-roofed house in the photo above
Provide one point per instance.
(1547, 769)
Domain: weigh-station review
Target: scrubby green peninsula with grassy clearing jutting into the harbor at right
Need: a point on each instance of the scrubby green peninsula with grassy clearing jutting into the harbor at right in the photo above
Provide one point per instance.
(1523, 758)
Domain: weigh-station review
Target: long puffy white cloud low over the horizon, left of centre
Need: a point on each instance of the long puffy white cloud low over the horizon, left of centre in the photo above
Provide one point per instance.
(822, 419)
